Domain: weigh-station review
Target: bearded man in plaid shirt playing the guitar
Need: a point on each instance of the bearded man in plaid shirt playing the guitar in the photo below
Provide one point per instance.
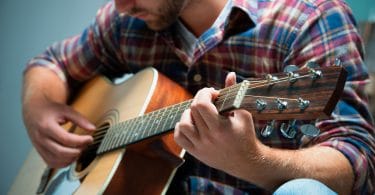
(197, 43)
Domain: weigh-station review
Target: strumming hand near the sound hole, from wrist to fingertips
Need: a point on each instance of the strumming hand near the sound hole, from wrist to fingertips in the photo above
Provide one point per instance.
(58, 148)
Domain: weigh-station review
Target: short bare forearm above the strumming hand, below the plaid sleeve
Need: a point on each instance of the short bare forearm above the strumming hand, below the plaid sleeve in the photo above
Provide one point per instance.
(41, 83)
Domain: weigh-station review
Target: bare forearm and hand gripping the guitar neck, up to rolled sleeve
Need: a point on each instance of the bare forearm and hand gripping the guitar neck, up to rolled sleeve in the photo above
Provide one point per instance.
(229, 143)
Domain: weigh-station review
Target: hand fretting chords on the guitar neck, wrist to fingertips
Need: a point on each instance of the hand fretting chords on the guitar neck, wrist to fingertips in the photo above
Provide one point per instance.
(224, 142)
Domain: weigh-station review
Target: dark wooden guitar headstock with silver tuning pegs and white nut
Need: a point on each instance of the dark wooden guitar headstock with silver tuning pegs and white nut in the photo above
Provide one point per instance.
(305, 94)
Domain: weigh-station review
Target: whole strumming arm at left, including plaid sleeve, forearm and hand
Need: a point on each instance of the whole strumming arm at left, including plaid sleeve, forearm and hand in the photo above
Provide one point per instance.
(48, 82)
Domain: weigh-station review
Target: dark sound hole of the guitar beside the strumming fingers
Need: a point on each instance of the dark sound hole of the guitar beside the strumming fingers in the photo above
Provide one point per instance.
(89, 154)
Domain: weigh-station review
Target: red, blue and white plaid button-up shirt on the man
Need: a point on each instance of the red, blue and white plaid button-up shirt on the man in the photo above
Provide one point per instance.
(257, 38)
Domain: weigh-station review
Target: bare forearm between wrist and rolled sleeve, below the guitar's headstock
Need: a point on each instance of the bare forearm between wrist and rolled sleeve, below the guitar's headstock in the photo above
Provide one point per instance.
(277, 166)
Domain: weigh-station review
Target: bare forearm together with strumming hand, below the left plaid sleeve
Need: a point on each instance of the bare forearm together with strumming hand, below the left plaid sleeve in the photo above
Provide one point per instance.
(44, 113)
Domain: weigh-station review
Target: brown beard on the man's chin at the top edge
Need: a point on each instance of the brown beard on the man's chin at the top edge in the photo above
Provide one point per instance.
(162, 17)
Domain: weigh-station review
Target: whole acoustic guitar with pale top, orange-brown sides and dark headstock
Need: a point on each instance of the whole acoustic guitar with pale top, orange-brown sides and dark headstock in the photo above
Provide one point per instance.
(134, 151)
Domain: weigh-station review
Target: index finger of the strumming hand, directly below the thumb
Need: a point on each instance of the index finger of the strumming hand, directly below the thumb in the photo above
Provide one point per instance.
(60, 135)
